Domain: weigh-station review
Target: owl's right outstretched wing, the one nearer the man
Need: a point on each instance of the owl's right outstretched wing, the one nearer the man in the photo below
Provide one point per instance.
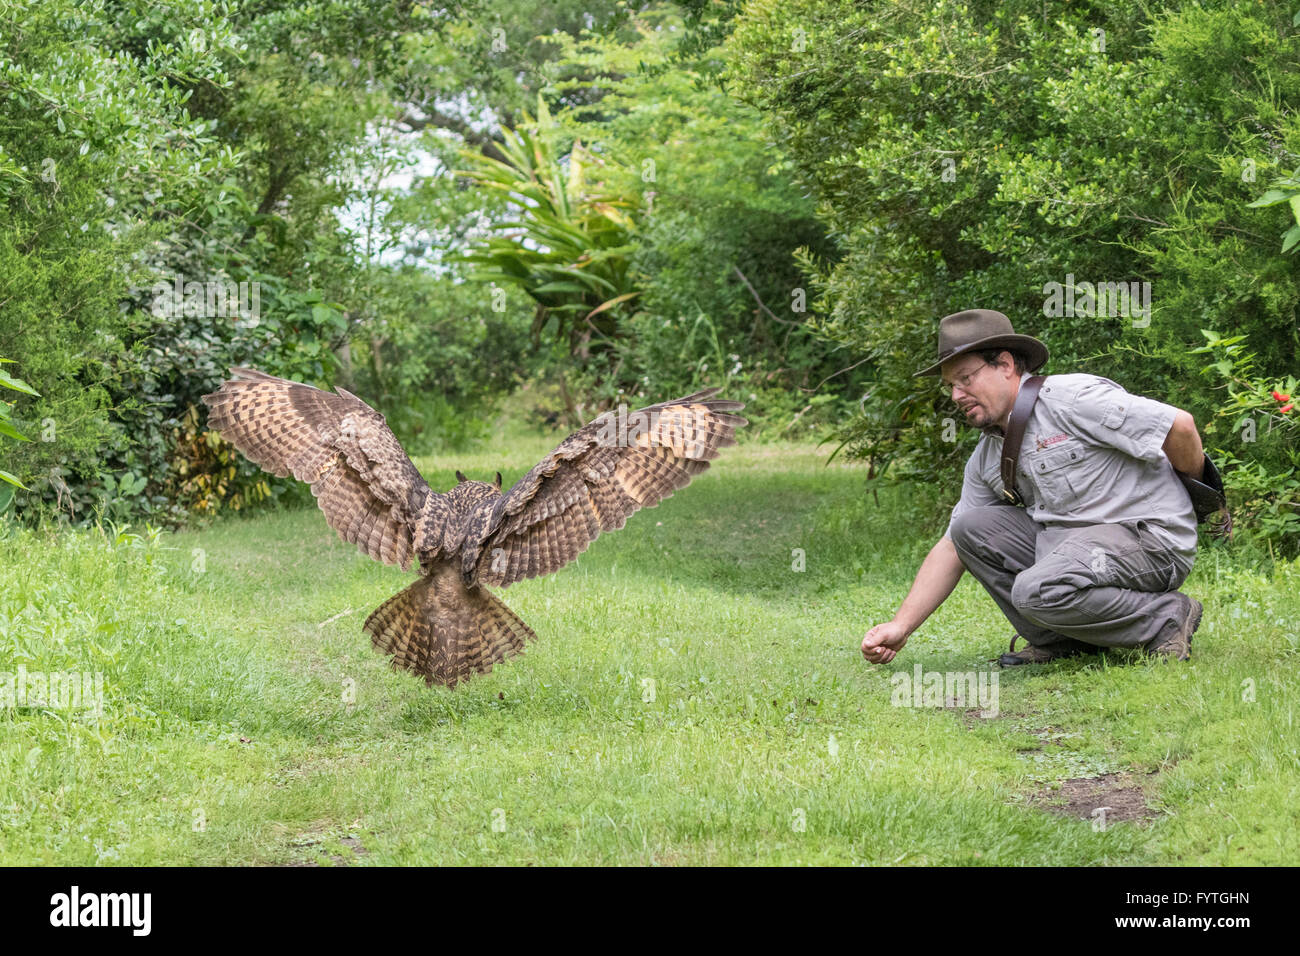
(593, 482)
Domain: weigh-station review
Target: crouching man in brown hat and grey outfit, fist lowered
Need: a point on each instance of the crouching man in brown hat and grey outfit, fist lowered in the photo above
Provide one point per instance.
(1108, 533)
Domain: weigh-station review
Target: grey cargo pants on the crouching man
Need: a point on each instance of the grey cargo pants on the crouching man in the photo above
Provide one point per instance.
(1108, 586)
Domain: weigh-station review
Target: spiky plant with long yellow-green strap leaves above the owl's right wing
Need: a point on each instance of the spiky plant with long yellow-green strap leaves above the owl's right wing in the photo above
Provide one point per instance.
(570, 244)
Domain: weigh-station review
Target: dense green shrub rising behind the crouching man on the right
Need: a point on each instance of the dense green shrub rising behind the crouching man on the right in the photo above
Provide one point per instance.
(969, 154)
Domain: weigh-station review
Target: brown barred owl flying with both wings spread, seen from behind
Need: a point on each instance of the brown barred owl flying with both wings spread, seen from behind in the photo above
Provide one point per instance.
(448, 626)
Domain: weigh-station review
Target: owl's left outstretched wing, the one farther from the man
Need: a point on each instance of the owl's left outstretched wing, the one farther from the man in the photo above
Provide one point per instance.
(365, 483)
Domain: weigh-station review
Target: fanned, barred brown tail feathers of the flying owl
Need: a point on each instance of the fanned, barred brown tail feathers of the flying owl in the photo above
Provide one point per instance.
(445, 631)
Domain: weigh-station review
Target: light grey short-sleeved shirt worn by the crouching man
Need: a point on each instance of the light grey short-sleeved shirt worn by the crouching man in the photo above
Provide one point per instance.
(1091, 456)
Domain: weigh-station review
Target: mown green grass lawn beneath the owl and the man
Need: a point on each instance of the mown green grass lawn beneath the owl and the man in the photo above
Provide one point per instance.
(692, 699)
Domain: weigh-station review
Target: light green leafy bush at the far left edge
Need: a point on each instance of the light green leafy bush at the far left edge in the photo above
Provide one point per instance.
(98, 154)
